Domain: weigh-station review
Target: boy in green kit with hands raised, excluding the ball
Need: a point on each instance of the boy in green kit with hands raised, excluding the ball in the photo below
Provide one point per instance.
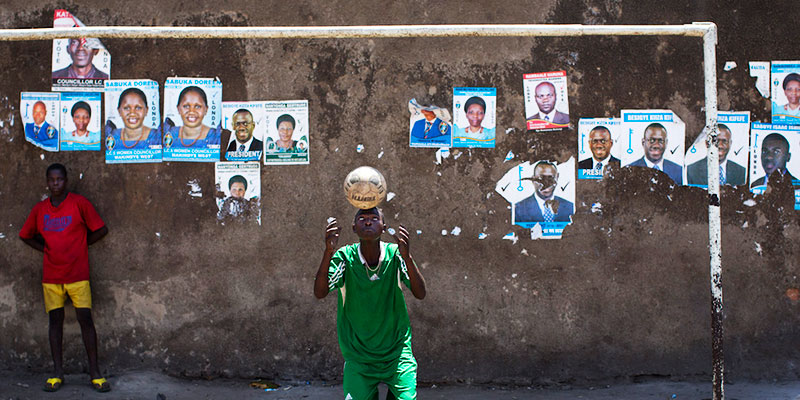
(371, 317)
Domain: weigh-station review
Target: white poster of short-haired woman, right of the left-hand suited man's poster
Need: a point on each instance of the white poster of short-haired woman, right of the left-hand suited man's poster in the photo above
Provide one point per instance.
(287, 140)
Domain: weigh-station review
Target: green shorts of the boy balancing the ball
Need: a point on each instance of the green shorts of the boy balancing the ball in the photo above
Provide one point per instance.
(361, 379)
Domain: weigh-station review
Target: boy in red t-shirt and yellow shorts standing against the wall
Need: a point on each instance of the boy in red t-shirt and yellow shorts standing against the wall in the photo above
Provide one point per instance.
(62, 227)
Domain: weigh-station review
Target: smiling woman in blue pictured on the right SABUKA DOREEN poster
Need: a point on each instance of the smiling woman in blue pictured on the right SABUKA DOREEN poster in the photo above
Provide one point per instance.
(192, 107)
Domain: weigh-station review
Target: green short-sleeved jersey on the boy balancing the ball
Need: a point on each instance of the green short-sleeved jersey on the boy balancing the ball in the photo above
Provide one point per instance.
(371, 316)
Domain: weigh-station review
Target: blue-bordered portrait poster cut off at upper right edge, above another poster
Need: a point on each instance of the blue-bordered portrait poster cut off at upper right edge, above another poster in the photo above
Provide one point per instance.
(785, 79)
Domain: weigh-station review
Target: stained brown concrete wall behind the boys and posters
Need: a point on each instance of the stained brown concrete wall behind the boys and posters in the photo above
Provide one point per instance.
(624, 293)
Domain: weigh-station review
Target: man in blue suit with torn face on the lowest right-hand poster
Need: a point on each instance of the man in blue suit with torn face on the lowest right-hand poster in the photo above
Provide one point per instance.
(544, 206)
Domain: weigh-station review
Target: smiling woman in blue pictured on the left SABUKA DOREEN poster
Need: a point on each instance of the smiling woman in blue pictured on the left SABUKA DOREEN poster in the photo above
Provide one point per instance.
(132, 109)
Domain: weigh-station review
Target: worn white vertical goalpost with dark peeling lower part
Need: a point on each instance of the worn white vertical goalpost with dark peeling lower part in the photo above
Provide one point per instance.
(714, 225)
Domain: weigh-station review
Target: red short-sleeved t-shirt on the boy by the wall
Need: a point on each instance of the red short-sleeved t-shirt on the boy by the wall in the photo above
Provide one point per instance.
(64, 229)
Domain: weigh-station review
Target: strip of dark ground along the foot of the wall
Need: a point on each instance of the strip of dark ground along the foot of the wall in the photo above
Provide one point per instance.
(155, 386)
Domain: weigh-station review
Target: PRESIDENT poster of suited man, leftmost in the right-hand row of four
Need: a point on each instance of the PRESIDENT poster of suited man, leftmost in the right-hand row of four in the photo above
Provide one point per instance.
(598, 146)
